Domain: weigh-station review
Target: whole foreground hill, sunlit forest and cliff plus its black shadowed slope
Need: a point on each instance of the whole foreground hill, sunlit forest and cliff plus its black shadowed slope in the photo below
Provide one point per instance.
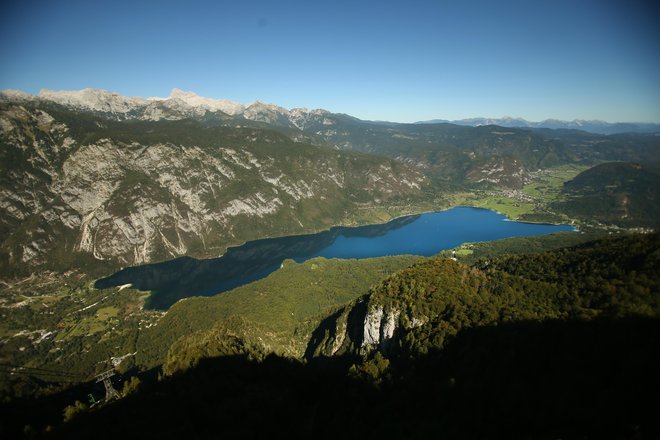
(559, 344)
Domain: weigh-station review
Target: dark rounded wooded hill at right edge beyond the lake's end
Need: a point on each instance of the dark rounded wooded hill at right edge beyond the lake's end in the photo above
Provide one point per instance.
(624, 194)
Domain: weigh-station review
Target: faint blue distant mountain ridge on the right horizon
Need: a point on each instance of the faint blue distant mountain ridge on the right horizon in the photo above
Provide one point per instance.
(593, 126)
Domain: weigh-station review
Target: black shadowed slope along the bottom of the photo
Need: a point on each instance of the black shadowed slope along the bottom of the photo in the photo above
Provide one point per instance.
(522, 380)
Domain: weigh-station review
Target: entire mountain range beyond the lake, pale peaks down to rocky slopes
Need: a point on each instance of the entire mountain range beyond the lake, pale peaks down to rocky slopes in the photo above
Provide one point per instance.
(131, 180)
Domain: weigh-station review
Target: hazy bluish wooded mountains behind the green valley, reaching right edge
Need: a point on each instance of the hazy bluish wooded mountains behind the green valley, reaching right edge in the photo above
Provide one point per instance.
(483, 156)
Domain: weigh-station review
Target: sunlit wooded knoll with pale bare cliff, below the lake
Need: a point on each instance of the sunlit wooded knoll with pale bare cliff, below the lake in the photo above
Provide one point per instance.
(403, 312)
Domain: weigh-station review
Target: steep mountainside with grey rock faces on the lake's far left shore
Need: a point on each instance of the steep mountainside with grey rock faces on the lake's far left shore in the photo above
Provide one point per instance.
(127, 194)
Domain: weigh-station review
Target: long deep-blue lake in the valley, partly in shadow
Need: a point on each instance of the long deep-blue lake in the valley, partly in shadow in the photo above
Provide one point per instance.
(425, 234)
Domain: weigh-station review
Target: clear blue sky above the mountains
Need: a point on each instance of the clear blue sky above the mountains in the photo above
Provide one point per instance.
(388, 60)
